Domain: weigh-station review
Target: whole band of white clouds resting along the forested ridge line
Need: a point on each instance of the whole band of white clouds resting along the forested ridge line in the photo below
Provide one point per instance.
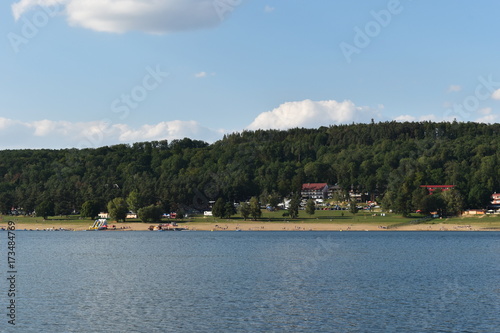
(16, 134)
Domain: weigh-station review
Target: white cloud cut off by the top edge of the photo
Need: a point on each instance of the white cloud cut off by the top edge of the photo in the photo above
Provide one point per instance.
(151, 16)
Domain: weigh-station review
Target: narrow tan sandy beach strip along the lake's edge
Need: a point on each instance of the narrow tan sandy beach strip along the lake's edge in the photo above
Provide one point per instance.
(260, 226)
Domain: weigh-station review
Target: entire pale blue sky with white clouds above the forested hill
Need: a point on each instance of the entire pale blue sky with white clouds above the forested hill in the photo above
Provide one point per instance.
(89, 73)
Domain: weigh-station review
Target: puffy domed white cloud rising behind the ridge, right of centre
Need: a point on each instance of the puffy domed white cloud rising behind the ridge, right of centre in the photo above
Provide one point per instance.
(313, 114)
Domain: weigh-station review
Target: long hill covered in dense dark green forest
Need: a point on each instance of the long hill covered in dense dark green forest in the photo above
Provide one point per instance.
(391, 159)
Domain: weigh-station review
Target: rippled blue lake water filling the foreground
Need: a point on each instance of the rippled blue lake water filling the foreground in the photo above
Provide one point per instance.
(254, 282)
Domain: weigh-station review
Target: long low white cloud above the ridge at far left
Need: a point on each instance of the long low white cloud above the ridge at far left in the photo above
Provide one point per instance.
(16, 134)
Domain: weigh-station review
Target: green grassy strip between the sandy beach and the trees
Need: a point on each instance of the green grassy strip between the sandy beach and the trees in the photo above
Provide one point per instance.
(320, 217)
